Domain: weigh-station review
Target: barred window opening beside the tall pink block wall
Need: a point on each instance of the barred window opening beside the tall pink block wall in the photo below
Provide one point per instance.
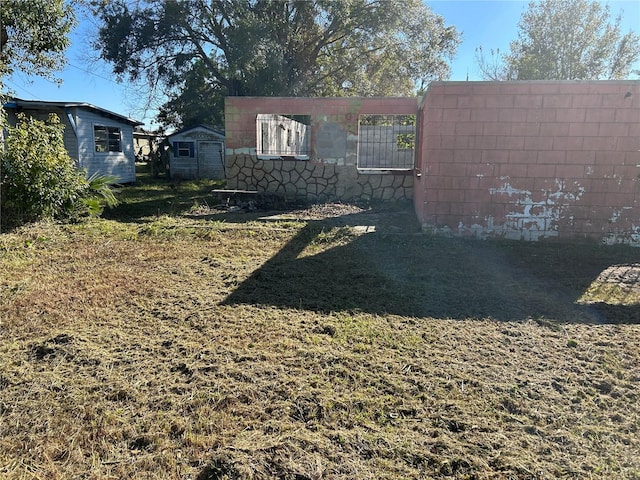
(386, 142)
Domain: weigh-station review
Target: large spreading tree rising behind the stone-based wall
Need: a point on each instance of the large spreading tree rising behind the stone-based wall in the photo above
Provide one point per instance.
(199, 51)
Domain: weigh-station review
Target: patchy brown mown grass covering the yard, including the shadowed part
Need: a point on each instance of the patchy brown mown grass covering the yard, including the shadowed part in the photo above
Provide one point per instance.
(225, 347)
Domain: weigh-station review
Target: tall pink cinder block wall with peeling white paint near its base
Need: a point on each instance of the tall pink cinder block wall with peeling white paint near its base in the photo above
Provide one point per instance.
(530, 160)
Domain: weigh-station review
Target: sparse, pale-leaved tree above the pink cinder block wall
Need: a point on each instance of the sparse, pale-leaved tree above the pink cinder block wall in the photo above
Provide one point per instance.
(565, 40)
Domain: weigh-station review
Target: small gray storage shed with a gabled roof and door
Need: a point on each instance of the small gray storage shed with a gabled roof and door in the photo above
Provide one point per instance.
(197, 152)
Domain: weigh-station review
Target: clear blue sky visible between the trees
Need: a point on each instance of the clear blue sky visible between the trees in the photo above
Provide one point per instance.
(486, 23)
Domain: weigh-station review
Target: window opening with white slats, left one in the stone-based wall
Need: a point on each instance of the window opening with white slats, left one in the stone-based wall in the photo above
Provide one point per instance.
(283, 136)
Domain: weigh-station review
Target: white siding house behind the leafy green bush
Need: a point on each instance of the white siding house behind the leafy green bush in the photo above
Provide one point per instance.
(98, 140)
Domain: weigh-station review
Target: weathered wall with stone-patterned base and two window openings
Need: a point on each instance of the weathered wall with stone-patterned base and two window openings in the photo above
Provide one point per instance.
(331, 172)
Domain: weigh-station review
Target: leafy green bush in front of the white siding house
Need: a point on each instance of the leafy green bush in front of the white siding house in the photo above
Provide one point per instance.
(40, 180)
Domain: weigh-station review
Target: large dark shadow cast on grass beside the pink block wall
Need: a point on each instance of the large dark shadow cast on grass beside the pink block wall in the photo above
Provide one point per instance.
(428, 276)
